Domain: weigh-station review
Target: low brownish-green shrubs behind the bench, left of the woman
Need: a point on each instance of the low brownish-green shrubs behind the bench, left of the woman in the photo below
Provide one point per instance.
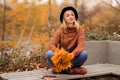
(16, 62)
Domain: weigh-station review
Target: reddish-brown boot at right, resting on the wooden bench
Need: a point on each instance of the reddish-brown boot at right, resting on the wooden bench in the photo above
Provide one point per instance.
(78, 70)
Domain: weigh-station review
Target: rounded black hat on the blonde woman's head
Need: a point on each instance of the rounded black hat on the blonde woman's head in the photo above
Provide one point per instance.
(68, 8)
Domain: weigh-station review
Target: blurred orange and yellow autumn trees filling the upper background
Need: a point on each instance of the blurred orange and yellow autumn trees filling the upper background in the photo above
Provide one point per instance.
(27, 20)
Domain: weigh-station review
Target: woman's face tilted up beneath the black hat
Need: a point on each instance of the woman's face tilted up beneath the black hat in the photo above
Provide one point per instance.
(69, 17)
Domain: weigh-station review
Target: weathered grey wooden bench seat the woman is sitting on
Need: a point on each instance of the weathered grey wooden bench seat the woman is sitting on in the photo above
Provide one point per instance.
(93, 70)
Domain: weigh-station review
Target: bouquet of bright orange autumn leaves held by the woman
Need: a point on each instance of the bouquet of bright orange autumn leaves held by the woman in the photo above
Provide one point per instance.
(61, 60)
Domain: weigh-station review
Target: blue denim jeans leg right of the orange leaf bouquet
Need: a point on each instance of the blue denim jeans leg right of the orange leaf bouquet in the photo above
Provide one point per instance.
(80, 59)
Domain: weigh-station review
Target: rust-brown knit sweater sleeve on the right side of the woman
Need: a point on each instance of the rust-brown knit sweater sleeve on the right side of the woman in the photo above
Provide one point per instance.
(81, 42)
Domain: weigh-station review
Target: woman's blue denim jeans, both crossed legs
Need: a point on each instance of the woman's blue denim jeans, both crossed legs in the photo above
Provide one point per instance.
(78, 61)
